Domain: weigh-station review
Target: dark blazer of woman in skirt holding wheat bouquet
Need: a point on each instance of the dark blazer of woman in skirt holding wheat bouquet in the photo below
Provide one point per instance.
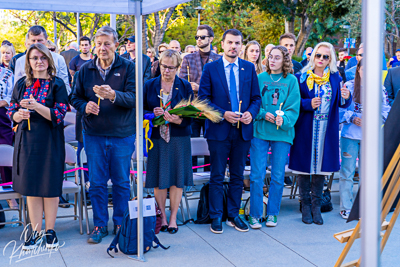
(181, 90)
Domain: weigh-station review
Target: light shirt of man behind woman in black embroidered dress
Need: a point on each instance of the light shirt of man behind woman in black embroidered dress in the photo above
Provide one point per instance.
(59, 62)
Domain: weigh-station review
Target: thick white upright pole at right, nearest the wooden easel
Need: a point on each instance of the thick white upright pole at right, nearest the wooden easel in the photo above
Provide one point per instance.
(372, 143)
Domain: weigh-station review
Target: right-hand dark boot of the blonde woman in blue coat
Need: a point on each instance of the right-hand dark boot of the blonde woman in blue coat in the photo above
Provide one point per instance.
(317, 186)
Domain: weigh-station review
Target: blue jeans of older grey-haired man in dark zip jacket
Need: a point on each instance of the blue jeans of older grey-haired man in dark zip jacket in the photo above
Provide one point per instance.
(109, 158)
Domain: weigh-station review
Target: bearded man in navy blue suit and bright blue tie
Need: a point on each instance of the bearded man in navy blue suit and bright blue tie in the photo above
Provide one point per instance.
(230, 85)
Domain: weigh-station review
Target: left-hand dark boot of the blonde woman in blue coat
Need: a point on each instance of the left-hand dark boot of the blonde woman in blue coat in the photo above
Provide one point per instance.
(304, 183)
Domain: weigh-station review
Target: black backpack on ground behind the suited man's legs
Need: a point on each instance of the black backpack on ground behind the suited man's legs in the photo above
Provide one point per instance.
(203, 216)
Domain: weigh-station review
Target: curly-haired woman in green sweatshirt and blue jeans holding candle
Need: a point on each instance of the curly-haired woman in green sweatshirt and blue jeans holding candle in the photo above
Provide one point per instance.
(275, 130)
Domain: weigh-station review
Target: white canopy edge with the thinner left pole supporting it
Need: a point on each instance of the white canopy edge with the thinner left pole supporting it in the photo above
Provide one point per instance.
(127, 7)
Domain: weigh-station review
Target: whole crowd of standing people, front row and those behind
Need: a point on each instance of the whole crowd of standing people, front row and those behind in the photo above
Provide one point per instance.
(306, 115)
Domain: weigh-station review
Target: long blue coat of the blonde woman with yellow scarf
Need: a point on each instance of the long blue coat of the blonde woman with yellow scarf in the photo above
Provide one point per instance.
(301, 150)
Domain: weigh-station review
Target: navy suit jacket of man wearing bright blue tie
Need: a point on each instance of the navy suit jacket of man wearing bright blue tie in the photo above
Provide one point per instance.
(214, 88)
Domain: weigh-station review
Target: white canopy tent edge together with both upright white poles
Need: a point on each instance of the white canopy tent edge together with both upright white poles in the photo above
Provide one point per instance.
(372, 143)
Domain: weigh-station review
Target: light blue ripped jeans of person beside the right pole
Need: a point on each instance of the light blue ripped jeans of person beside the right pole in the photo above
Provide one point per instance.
(350, 150)
